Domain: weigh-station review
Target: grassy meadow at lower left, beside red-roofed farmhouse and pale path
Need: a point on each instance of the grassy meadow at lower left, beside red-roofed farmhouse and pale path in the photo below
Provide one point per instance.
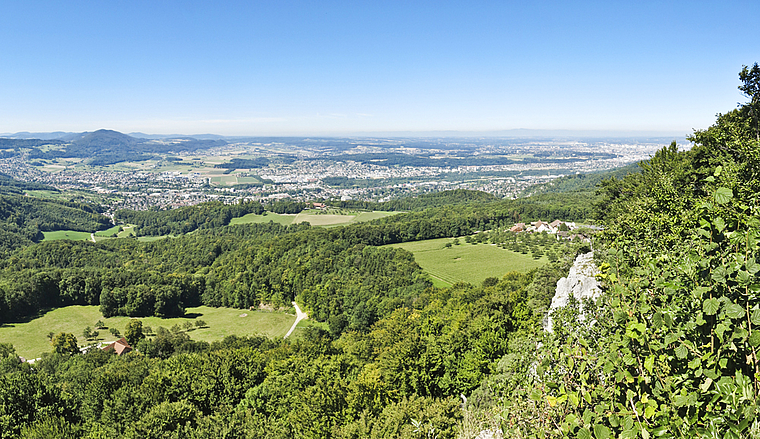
(30, 338)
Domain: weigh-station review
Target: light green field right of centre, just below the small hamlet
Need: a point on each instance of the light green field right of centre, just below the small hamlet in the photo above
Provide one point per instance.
(466, 262)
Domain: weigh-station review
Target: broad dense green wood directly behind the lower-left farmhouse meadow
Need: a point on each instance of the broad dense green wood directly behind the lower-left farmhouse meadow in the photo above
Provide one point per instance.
(337, 276)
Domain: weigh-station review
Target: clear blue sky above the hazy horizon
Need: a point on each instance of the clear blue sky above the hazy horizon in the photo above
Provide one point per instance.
(333, 68)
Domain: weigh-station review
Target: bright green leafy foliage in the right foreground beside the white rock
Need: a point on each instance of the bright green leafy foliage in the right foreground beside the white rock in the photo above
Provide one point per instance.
(671, 350)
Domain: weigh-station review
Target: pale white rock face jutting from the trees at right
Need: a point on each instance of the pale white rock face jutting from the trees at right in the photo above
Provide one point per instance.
(580, 282)
